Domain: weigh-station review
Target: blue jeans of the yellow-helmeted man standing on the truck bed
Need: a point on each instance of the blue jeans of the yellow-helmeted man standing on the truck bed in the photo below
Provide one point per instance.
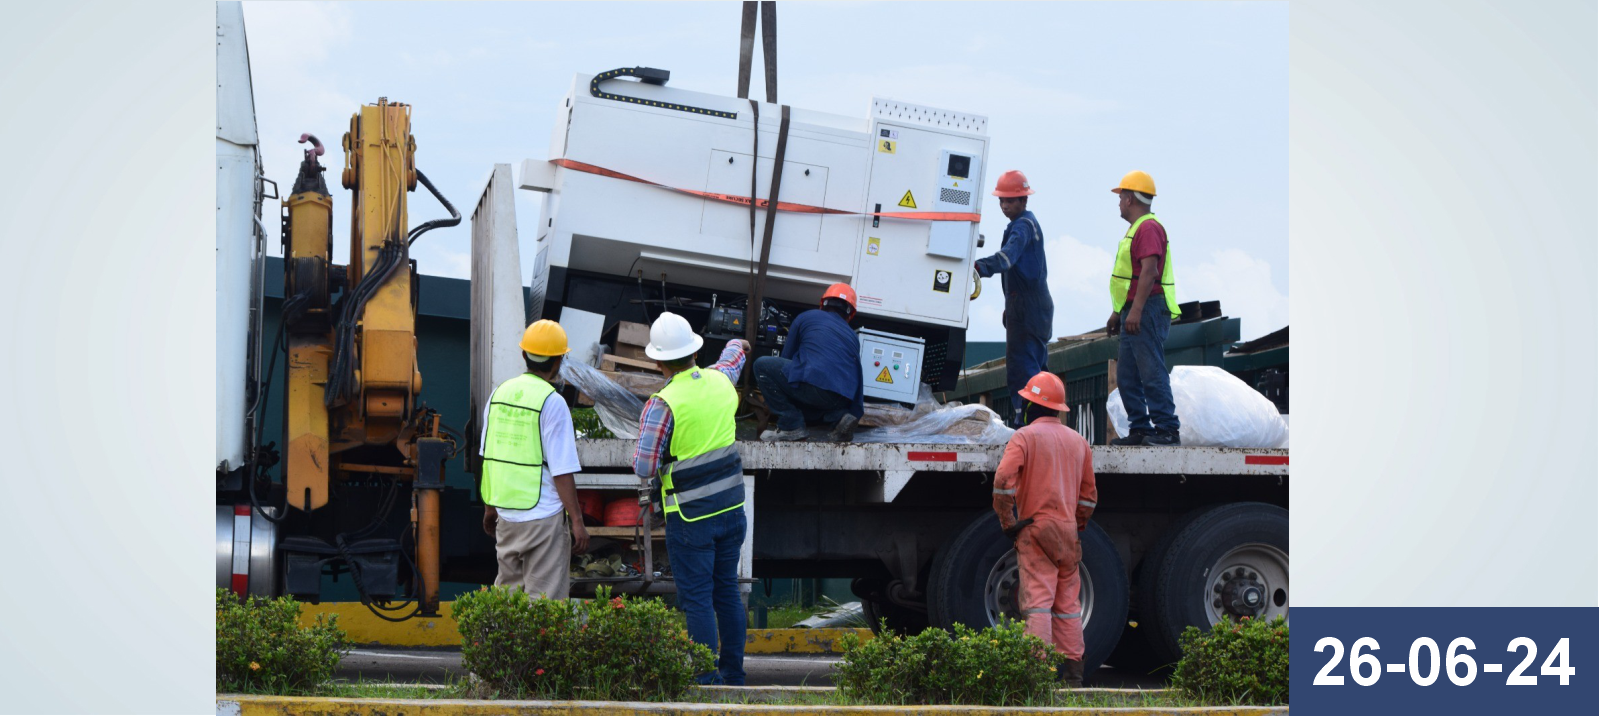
(1141, 370)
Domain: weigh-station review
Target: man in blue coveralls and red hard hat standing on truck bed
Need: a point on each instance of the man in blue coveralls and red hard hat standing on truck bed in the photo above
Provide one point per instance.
(1029, 311)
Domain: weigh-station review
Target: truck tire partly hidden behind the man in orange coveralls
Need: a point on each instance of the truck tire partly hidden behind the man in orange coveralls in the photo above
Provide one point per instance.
(975, 581)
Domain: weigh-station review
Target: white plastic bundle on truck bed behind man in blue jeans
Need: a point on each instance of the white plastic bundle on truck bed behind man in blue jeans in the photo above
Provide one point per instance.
(1218, 410)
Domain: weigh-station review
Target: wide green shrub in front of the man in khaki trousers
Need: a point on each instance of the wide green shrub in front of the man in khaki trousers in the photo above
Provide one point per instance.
(600, 650)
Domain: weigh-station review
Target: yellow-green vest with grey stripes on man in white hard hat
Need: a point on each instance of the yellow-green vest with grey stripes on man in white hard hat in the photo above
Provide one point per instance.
(708, 477)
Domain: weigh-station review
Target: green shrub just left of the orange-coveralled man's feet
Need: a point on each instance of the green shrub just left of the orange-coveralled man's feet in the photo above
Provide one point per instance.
(997, 667)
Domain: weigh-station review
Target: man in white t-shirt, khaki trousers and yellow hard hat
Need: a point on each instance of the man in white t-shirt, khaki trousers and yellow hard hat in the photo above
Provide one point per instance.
(528, 448)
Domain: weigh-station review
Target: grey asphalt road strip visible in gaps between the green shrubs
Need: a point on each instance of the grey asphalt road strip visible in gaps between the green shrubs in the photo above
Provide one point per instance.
(444, 666)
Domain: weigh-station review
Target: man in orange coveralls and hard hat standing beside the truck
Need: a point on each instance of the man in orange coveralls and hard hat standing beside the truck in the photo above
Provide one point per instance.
(1045, 495)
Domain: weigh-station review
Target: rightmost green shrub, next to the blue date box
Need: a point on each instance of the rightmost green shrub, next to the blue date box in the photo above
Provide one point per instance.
(1245, 662)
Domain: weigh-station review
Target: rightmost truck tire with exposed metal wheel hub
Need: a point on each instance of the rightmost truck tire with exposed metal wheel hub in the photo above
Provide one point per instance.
(1235, 555)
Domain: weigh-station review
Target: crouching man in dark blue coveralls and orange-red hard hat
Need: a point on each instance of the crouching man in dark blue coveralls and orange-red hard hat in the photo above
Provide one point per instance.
(819, 378)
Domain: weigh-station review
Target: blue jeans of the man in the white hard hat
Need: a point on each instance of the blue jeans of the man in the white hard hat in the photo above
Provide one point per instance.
(706, 567)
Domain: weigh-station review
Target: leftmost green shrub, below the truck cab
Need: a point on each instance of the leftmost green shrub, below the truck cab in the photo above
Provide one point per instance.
(261, 646)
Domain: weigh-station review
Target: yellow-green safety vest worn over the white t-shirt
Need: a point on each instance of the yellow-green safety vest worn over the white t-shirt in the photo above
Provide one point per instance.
(512, 445)
